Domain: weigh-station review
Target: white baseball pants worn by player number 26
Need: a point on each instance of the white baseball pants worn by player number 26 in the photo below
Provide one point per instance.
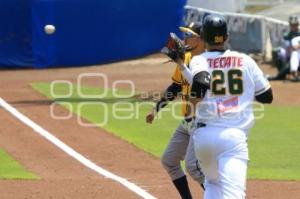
(223, 158)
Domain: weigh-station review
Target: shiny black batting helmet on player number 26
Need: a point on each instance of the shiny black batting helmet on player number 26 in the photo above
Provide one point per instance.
(214, 29)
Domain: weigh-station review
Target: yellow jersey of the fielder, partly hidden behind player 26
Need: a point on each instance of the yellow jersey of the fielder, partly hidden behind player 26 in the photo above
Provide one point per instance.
(178, 78)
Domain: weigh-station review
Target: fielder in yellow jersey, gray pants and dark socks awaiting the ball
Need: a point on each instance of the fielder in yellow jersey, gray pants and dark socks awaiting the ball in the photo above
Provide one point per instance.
(180, 146)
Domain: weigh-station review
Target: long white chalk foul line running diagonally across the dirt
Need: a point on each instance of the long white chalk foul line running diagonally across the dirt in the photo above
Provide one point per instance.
(86, 162)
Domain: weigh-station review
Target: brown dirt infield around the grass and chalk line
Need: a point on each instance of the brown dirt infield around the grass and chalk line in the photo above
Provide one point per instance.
(64, 177)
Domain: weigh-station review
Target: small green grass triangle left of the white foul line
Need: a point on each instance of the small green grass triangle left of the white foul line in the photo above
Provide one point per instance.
(10, 169)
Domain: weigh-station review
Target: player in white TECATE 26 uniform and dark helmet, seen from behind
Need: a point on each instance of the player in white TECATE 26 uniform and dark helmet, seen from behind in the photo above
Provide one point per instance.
(225, 83)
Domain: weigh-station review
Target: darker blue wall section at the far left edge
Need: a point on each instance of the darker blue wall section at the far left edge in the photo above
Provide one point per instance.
(15, 33)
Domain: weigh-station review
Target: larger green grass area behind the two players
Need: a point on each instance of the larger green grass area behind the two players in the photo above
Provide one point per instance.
(273, 141)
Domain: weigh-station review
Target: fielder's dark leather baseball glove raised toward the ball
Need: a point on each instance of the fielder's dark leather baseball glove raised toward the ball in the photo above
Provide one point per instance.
(174, 48)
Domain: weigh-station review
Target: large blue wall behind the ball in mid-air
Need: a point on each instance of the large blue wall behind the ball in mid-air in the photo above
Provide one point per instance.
(87, 31)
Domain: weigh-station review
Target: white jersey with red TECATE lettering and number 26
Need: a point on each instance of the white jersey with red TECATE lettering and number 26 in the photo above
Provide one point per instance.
(235, 81)
